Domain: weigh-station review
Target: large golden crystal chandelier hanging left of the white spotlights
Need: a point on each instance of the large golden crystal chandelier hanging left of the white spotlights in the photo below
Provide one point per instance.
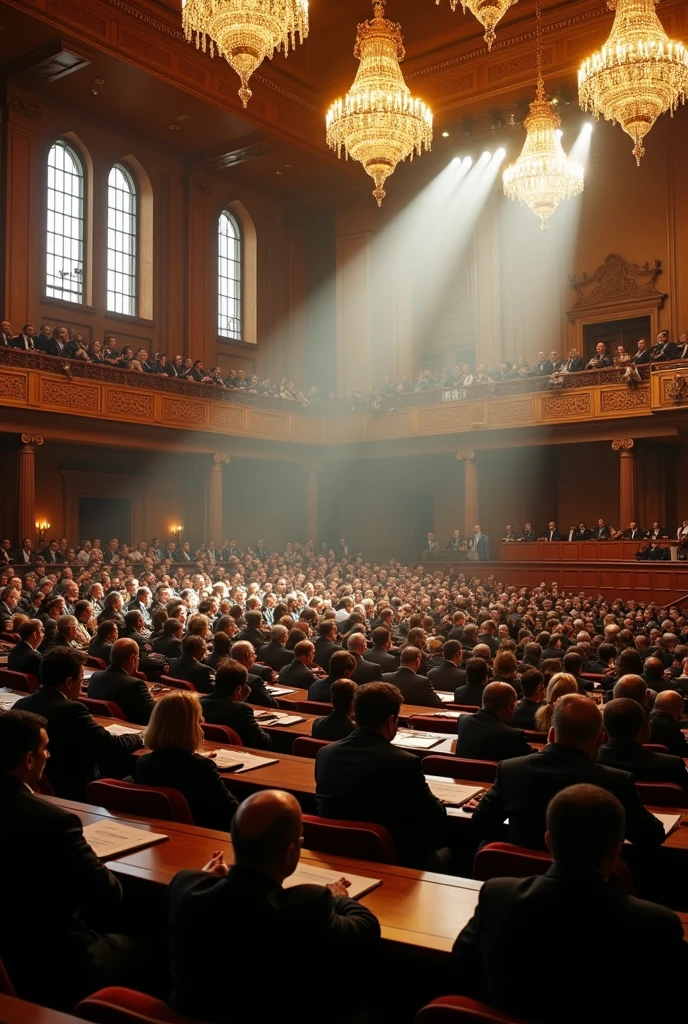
(379, 122)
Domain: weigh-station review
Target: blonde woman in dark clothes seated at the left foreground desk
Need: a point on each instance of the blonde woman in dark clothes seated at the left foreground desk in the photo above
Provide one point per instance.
(175, 738)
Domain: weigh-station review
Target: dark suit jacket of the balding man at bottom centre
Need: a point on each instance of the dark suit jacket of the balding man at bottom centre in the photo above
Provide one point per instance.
(323, 928)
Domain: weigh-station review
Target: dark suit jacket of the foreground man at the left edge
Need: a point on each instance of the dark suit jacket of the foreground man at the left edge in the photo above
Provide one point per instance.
(71, 893)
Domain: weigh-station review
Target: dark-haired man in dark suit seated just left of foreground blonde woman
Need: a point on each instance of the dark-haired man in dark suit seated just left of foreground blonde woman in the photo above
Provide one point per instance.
(78, 744)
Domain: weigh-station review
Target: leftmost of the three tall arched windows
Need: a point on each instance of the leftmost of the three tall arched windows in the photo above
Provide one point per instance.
(65, 238)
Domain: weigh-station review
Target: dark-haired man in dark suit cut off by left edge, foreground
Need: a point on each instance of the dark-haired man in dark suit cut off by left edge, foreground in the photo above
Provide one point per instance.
(72, 893)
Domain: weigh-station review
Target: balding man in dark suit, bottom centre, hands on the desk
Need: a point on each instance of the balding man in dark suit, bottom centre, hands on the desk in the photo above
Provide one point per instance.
(232, 929)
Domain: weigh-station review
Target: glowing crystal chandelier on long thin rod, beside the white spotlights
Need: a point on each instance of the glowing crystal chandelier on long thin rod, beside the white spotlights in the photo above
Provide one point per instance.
(543, 177)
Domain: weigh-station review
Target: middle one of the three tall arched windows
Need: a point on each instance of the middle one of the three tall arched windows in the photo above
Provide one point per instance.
(122, 241)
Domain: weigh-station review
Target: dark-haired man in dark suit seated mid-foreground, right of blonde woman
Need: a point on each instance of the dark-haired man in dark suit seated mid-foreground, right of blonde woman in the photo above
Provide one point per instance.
(364, 778)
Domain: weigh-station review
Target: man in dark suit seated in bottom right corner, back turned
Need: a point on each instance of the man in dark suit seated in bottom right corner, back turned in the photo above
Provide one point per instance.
(585, 833)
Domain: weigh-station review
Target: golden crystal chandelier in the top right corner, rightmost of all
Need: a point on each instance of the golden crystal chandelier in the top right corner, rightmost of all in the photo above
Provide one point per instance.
(638, 74)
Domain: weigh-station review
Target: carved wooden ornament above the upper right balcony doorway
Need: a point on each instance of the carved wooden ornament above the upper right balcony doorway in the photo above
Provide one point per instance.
(617, 287)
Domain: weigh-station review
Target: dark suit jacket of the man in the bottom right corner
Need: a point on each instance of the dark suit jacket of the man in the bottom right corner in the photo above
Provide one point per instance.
(510, 916)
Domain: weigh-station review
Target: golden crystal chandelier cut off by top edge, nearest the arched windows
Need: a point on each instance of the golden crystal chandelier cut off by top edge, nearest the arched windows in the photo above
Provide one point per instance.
(245, 32)
